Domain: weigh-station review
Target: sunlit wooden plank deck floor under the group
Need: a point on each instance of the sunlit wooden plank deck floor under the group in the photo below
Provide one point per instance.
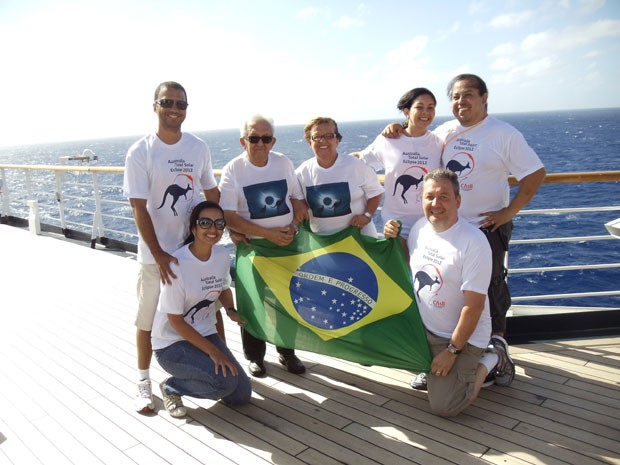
(68, 368)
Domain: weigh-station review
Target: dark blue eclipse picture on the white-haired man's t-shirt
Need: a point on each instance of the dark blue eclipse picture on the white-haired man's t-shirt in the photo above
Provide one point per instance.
(267, 199)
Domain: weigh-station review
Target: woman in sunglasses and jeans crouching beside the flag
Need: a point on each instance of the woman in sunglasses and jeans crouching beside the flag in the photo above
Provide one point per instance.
(188, 332)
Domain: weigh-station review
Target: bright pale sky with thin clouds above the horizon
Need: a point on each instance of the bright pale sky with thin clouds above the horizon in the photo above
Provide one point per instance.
(81, 69)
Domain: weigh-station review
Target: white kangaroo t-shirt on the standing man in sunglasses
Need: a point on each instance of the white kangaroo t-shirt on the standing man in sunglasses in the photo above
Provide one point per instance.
(172, 179)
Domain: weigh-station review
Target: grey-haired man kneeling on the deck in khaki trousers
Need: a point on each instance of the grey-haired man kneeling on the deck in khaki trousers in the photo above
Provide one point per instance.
(450, 264)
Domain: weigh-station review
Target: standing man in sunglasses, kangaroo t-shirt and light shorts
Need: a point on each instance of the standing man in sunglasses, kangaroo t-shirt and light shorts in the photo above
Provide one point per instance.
(165, 173)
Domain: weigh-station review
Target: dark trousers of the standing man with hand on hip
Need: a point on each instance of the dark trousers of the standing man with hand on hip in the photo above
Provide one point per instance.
(499, 294)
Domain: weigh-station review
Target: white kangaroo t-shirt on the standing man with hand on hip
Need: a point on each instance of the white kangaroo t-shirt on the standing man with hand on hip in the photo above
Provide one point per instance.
(483, 156)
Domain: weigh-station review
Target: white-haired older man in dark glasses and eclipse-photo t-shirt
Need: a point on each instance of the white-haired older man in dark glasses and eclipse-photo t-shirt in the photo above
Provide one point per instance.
(261, 198)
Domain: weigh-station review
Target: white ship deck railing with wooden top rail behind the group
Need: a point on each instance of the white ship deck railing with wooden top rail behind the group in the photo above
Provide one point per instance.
(81, 201)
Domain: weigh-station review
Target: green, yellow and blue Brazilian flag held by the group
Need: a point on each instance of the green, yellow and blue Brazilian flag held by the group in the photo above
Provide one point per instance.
(346, 295)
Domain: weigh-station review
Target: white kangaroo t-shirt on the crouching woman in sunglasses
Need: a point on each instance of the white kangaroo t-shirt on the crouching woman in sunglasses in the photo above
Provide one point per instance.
(192, 294)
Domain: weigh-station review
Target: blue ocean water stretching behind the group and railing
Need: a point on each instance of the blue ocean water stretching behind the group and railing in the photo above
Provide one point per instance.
(566, 141)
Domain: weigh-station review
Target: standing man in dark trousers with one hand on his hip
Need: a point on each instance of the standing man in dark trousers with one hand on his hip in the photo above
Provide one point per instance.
(483, 151)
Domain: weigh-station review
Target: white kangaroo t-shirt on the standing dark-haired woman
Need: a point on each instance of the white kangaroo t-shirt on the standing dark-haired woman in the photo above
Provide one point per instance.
(405, 160)
